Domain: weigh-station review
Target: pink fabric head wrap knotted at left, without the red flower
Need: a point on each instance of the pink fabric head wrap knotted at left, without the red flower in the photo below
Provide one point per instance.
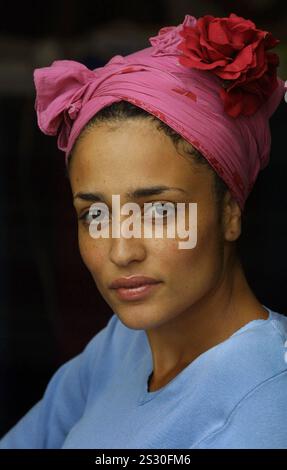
(188, 99)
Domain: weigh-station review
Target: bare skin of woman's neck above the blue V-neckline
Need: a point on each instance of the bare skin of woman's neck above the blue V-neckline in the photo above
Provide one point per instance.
(199, 330)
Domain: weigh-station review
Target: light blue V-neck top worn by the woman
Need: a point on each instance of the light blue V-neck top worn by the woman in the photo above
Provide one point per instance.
(233, 395)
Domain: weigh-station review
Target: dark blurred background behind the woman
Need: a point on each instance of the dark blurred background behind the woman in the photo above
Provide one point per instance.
(50, 306)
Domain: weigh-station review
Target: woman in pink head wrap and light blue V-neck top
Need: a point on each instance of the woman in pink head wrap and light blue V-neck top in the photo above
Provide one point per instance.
(190, 357)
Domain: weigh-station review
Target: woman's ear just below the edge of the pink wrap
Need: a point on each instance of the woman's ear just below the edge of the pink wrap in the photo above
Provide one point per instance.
(231, 218)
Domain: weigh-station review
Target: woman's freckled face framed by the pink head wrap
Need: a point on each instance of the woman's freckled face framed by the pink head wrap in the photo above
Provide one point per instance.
(115, 159)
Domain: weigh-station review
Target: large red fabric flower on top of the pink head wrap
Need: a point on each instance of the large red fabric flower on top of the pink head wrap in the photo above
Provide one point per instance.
(235, 50)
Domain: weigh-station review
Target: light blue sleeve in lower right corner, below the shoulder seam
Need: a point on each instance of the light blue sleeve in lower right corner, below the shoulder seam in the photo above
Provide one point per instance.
(257, 421)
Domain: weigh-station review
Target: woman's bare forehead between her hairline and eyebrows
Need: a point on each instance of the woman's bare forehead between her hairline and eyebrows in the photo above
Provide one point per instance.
(133, 152)
